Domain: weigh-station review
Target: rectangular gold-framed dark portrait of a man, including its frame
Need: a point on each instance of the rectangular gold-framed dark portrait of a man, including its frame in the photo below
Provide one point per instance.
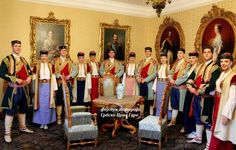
(116, 37)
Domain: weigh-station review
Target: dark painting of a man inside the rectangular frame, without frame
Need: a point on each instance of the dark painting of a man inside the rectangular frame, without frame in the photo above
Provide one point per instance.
(115, 39)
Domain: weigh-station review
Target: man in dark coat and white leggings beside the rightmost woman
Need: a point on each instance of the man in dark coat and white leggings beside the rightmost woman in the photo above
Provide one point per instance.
(203, 87)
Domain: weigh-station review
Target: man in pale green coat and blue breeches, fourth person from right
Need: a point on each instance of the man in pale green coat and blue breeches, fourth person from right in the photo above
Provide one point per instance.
(178, 90)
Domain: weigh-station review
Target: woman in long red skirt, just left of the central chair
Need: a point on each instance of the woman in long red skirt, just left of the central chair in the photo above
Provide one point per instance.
(93, 68)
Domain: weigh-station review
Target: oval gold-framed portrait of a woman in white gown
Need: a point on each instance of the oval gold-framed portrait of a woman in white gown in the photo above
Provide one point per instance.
(217, 29)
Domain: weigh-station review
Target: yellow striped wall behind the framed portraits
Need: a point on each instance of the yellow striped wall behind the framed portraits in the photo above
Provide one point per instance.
(15, 24)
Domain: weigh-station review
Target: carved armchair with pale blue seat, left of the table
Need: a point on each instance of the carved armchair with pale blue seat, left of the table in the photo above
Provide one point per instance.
(80, 127)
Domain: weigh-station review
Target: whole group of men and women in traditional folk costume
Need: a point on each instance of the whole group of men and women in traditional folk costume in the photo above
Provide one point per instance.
(192, 87)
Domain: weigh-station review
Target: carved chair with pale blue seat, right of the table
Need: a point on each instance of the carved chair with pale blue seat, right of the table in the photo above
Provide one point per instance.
(152, 129)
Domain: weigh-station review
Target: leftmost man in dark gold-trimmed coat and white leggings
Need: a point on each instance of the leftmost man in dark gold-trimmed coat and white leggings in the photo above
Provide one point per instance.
(16, 71)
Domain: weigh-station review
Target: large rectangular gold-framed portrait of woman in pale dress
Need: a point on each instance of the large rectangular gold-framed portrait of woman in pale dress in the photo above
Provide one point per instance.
(48, 34)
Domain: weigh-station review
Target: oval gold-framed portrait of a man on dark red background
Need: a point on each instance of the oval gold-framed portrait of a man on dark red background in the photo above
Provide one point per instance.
(169, 39)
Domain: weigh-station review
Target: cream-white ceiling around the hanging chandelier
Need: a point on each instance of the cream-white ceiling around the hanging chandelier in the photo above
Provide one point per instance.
(127, 7)
